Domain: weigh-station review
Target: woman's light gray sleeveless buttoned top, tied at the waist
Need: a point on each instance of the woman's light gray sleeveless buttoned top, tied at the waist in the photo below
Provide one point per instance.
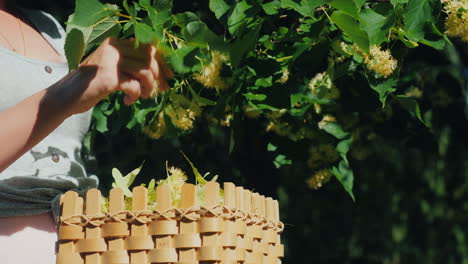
(34, 183)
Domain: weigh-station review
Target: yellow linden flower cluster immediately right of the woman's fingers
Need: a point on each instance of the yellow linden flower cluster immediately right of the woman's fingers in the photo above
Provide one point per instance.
(210, 73)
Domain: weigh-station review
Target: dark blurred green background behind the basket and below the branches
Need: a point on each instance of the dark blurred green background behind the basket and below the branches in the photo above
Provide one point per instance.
(411, 182)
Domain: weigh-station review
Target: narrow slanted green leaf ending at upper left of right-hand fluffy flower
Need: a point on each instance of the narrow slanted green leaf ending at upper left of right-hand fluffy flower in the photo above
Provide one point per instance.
(352, 29)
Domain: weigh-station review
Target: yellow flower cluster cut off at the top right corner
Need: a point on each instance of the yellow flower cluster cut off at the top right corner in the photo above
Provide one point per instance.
(457, 18)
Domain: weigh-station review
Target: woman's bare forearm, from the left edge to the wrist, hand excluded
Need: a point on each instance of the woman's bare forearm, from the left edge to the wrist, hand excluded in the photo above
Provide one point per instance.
(27, 123)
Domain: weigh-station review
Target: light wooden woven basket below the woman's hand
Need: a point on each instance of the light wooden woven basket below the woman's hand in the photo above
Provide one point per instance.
(245, 228)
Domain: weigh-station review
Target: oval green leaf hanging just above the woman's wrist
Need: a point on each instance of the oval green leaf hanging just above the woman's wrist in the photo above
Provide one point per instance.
(75, 46)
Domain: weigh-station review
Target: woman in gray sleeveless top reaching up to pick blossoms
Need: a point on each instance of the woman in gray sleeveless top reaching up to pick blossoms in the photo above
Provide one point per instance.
(44, 113)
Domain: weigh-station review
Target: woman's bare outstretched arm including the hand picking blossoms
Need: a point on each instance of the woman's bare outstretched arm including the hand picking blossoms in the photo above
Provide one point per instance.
(116, 65)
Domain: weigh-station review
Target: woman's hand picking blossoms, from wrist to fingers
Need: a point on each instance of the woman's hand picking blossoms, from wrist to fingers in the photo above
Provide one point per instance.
(117, 66)
